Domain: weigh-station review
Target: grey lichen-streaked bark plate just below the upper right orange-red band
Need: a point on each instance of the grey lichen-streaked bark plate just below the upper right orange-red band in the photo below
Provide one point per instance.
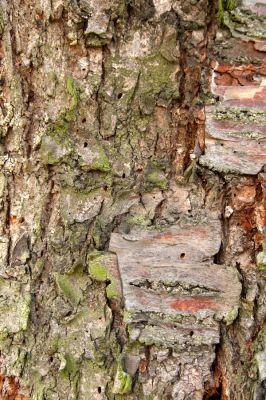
(233, 145)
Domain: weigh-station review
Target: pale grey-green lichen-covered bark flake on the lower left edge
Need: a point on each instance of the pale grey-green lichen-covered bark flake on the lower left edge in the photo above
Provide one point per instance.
(14, 307)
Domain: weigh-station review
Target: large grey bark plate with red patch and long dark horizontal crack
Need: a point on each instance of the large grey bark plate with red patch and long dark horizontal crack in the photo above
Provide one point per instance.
(169, 274)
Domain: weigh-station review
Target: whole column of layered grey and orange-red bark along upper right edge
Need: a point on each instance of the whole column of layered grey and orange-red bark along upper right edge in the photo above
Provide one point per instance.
(235, 136)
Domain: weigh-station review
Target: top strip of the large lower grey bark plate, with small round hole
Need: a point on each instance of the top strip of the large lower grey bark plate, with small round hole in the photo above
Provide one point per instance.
(189, 241)
